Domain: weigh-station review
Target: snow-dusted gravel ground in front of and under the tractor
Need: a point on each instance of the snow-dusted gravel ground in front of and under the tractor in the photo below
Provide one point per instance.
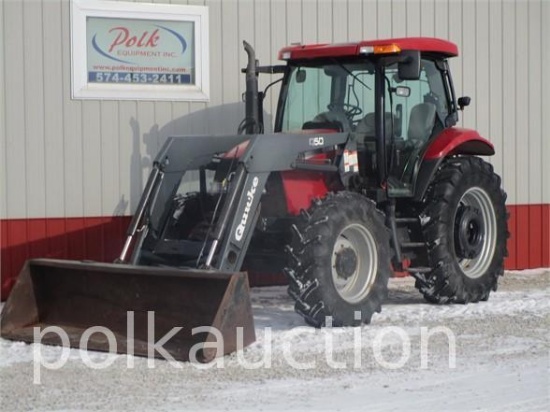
(501, 363)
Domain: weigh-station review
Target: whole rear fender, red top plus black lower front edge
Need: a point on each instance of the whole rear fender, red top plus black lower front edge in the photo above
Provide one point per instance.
(450, 142)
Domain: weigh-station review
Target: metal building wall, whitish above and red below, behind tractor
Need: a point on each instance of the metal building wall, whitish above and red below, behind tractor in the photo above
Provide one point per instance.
(72, 170)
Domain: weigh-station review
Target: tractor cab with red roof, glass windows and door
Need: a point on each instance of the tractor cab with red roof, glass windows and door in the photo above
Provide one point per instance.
(393, 97)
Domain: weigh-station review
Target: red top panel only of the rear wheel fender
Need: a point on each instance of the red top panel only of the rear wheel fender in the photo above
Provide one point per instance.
(455, 140)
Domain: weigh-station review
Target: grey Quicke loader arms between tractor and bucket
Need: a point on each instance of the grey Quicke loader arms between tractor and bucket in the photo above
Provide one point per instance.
(265, 153)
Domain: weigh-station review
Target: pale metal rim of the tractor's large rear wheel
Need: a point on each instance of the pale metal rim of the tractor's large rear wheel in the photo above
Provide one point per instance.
(475, 232)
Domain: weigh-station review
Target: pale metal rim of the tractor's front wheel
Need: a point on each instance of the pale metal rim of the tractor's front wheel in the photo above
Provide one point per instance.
(354, 263)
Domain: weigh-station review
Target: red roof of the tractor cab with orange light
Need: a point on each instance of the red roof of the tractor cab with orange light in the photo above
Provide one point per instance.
(386, 46)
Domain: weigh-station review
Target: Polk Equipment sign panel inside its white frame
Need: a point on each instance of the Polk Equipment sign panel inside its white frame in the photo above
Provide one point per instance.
(124, 51)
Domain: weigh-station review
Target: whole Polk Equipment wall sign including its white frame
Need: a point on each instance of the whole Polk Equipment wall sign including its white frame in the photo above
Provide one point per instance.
(139, 51)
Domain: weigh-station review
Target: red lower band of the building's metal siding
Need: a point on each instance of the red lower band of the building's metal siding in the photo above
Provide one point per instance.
(101, 238)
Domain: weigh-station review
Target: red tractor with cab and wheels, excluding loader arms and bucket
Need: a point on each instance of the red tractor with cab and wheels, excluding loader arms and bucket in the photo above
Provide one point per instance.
(402, 190)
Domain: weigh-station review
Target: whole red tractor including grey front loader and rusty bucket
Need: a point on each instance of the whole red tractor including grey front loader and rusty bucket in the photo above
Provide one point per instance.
(365, 174)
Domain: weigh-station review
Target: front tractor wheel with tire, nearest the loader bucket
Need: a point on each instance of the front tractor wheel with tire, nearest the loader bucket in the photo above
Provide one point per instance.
(339, 261)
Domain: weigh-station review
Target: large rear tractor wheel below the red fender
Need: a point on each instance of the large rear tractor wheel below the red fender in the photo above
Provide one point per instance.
(465, 229)
